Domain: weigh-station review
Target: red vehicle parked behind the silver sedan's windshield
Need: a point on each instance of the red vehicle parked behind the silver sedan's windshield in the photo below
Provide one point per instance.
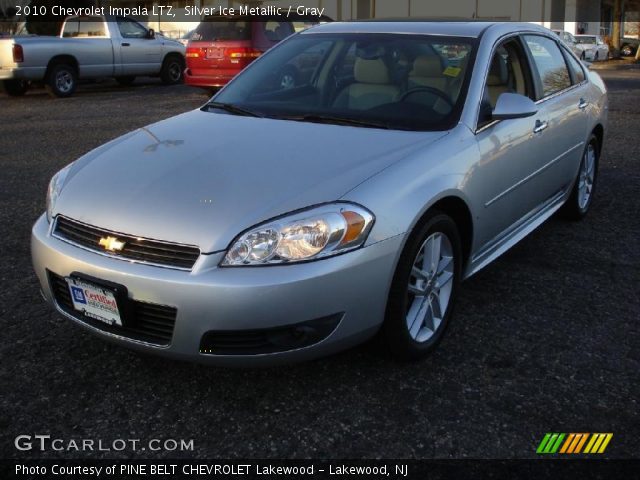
(222, 46)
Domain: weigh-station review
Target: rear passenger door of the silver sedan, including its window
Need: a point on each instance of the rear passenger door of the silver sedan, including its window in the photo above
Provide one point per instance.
(562, 98)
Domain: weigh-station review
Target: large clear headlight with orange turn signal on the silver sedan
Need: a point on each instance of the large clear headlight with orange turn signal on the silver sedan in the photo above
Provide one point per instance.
(307, 235)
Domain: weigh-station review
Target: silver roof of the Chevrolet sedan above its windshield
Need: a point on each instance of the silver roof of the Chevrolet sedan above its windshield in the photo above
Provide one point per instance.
(457, 28)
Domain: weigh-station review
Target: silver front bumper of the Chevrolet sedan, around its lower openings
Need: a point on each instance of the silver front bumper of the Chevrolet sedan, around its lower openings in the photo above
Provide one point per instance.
(354, 285)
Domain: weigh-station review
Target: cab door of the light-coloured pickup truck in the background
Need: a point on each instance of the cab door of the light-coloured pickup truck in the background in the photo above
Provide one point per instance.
(139, 54)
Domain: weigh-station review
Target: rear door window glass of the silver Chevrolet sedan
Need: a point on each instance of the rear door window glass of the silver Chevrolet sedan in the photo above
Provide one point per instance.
(550, 65)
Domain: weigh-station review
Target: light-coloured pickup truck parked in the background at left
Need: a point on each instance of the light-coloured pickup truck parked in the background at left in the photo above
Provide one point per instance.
(89, 47)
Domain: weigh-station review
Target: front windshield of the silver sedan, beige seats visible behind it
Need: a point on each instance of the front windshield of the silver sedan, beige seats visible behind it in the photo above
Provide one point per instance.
(406, 82)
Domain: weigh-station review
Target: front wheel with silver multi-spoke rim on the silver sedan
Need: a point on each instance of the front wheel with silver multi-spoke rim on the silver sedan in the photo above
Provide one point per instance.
(424, 288)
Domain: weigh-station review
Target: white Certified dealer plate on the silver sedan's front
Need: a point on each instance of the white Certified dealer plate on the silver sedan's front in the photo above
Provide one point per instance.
(94, 301)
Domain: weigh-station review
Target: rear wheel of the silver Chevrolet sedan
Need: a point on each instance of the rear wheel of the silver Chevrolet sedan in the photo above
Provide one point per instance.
(581, 197)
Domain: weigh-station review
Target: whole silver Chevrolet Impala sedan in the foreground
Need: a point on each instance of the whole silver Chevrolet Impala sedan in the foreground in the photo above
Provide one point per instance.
(286, 223)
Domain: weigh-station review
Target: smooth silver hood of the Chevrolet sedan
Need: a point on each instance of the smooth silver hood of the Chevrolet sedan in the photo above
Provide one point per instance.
(202, 178)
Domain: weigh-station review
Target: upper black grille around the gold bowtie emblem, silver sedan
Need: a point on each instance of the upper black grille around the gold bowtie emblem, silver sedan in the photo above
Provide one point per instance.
(137, 249)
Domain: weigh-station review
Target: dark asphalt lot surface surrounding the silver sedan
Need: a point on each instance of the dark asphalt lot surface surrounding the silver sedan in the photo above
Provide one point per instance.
(546, 339)
